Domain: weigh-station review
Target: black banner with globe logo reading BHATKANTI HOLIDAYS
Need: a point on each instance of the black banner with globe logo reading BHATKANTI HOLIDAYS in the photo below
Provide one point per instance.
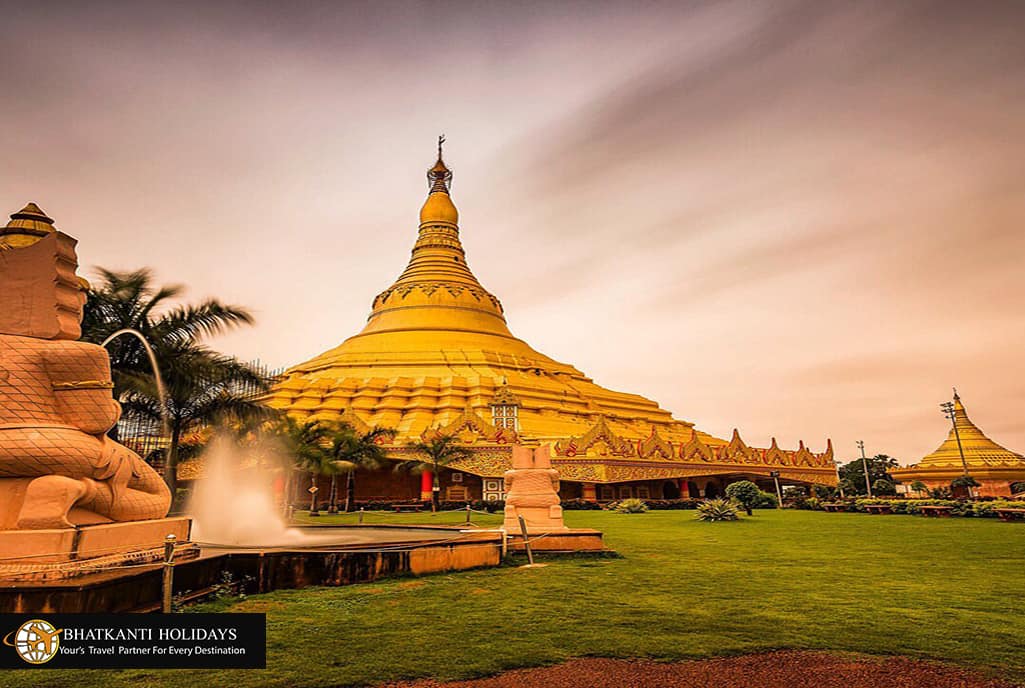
(134, 641)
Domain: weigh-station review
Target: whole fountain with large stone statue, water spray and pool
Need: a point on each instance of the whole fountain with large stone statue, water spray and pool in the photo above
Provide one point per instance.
(84, 520)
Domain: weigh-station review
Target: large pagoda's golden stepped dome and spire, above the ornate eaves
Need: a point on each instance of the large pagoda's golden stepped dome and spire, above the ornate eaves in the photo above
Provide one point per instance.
(437, 340)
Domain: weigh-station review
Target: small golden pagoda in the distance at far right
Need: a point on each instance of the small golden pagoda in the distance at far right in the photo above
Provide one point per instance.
(996, 468)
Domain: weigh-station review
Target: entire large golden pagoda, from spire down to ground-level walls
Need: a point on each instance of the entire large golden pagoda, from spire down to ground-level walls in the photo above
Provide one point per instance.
(437, 356)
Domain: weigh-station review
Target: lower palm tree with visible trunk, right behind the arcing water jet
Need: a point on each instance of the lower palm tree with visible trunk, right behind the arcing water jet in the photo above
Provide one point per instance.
(202, 387)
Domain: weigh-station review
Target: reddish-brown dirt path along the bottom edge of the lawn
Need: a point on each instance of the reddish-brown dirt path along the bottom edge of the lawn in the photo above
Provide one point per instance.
(772, 670)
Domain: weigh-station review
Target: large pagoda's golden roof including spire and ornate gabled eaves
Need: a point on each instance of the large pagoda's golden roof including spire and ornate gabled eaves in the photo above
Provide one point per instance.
(436, 354)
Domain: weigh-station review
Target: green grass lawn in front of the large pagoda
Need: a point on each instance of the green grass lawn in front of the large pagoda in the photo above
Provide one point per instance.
(944, 589)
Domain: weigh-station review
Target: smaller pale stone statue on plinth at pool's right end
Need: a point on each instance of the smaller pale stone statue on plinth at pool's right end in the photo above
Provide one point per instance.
(532, 492)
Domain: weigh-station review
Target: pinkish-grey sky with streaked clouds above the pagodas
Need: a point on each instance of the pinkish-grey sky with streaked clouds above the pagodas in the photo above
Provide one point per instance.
(800, 219)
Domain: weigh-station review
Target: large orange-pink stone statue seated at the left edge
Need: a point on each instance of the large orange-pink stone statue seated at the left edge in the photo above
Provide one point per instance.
(58, 467)
